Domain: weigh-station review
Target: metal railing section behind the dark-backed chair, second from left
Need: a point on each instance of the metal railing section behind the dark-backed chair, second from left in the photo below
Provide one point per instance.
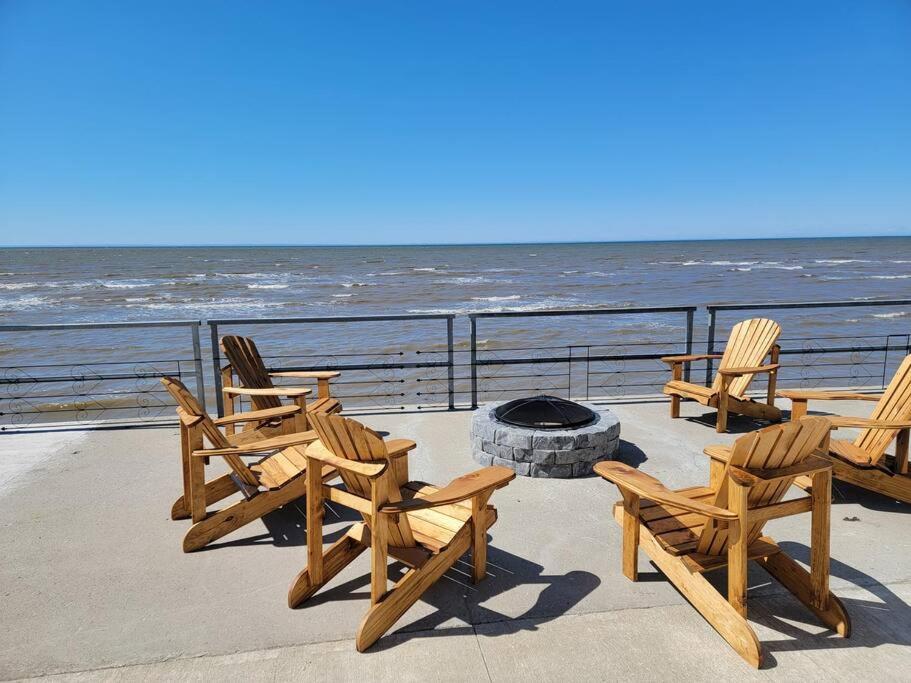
(375, 368)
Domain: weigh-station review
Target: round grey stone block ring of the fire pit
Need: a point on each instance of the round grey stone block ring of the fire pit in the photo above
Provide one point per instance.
(534, 452)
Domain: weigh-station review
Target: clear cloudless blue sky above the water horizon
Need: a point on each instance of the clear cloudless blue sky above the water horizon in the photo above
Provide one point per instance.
(383, 122)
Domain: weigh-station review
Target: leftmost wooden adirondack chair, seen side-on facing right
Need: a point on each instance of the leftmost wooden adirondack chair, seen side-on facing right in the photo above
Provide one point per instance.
(273, 481)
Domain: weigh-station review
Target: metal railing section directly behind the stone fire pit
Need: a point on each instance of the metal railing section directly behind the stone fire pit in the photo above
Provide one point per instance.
(545, 361)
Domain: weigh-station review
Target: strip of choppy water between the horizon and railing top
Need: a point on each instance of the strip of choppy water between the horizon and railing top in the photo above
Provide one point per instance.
(87, 284)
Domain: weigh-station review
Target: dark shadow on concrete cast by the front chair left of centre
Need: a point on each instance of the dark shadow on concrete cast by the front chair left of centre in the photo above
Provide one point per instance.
(455, 597)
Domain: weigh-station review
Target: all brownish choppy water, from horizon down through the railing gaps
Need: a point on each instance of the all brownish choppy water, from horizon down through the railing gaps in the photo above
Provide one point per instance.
(40, 286)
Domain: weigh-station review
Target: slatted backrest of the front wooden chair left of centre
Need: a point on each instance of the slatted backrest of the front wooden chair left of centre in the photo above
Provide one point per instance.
(347, 438)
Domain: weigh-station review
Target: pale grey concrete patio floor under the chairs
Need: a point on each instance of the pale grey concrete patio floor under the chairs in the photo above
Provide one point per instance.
(95, 586)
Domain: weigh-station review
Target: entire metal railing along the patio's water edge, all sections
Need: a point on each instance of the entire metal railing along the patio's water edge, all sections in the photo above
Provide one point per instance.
(90, 371)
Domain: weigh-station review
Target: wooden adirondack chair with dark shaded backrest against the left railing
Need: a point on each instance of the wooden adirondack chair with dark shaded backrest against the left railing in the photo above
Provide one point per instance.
(255, 381)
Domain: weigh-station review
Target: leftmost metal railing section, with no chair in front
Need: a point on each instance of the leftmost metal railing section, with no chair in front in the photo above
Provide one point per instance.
(94, 387)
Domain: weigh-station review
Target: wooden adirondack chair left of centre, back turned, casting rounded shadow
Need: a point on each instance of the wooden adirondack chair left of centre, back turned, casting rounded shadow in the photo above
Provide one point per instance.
(425, 527)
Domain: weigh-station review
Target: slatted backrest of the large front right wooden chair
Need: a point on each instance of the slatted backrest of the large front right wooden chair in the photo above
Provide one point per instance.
(774, 447)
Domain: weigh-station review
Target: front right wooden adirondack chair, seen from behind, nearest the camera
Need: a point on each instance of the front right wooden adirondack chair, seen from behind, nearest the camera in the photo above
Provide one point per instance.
(691, 531)
